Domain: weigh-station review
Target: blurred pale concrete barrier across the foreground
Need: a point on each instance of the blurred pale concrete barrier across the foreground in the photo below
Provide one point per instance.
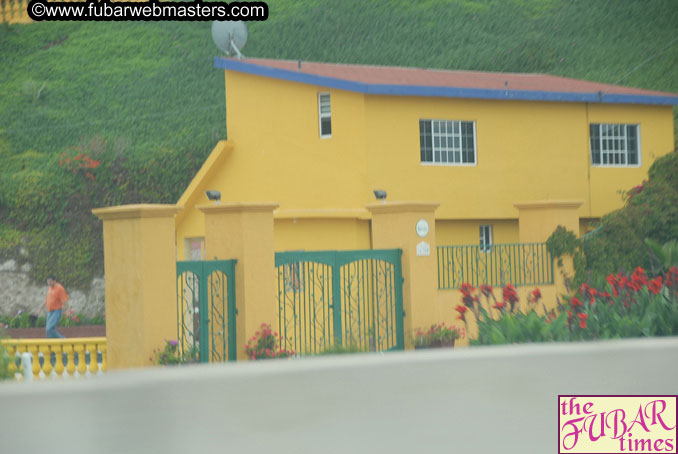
(477, 400)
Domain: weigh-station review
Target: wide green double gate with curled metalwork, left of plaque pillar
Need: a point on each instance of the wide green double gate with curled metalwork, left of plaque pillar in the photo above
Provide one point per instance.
(340, 298)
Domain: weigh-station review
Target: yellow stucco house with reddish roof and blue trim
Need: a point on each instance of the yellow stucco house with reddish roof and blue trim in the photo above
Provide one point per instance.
(319, 138)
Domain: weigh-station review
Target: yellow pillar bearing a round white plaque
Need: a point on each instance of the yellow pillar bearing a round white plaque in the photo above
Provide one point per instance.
(398, 225)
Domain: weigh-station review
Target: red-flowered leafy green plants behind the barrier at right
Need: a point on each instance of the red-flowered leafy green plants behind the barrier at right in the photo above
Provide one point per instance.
(626, 306)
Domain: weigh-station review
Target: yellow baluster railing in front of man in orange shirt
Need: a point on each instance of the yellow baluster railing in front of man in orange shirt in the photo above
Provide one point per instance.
(44, 349)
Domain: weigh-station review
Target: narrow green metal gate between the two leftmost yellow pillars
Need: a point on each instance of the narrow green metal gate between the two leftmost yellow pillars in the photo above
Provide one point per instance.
(206, 310)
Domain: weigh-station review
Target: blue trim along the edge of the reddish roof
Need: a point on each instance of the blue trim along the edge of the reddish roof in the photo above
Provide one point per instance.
(440, 92)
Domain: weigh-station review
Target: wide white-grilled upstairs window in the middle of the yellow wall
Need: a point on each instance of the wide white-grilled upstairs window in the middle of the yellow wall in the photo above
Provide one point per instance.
(447, 142)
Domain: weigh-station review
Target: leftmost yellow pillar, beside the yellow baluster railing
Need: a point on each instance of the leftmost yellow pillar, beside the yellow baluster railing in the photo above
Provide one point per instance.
(141, 293)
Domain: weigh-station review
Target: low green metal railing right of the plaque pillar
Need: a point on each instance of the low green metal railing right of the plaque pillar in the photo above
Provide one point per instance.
(517, 264)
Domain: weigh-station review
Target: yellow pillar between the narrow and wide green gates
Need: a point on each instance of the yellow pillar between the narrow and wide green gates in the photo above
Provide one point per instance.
(244, 231)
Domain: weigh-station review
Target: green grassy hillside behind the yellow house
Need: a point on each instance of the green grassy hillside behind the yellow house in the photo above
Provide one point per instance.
(143, 98)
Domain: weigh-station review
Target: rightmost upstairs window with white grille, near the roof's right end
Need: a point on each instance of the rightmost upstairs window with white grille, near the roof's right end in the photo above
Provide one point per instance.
(614, 145)
